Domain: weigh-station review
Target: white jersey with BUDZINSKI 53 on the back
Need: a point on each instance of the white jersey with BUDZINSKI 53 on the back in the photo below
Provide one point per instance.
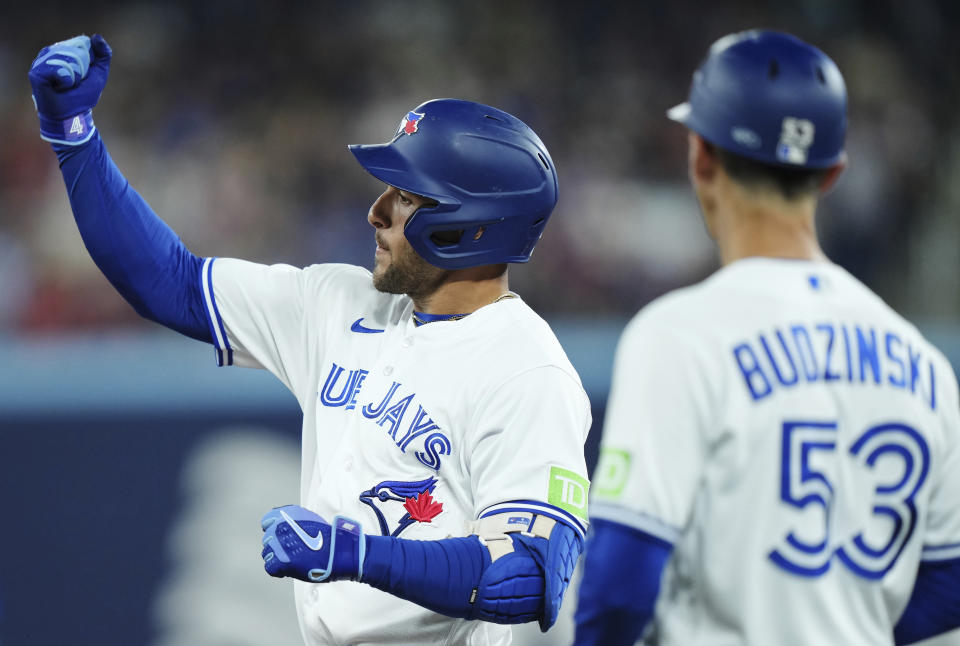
(799, 444)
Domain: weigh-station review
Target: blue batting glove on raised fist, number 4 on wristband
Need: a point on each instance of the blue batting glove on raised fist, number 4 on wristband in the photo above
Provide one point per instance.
(67, 79)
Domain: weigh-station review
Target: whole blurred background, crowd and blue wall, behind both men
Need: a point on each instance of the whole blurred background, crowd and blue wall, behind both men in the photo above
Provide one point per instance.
(232, 118)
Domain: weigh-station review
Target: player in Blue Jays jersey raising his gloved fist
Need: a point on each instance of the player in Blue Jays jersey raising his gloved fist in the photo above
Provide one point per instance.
(443, 477)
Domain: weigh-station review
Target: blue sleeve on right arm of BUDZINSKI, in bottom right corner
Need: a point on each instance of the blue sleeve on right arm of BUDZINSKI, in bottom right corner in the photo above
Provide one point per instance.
(934, 606)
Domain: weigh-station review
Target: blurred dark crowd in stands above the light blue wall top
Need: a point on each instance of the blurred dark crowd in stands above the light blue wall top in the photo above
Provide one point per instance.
(232, 119)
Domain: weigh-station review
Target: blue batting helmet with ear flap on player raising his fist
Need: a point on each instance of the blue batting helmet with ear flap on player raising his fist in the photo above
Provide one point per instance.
(491, 176)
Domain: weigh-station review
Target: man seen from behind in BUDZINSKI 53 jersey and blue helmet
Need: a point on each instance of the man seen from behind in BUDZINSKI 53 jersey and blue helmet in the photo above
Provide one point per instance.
(780, 460)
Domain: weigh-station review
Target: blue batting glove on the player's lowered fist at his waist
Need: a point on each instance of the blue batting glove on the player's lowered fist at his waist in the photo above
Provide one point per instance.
(301, 544)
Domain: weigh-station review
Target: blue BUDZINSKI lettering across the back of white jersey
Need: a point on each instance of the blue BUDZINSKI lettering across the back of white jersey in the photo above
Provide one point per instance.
(783, 357)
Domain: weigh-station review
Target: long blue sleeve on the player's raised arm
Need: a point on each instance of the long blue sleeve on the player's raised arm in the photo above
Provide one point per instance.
(140, 255)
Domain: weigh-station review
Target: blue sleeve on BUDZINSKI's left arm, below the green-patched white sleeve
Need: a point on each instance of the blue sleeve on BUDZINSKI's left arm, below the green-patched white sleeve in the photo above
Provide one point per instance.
(621, 580)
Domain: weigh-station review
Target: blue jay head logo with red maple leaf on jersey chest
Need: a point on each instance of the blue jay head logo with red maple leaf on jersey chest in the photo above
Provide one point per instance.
(391, 497)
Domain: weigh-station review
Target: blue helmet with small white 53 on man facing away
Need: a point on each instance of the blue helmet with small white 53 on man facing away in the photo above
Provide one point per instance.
(770, 97)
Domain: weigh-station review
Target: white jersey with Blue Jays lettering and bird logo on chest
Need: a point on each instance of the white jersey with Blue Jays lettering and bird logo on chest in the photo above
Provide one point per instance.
(414, 432)
